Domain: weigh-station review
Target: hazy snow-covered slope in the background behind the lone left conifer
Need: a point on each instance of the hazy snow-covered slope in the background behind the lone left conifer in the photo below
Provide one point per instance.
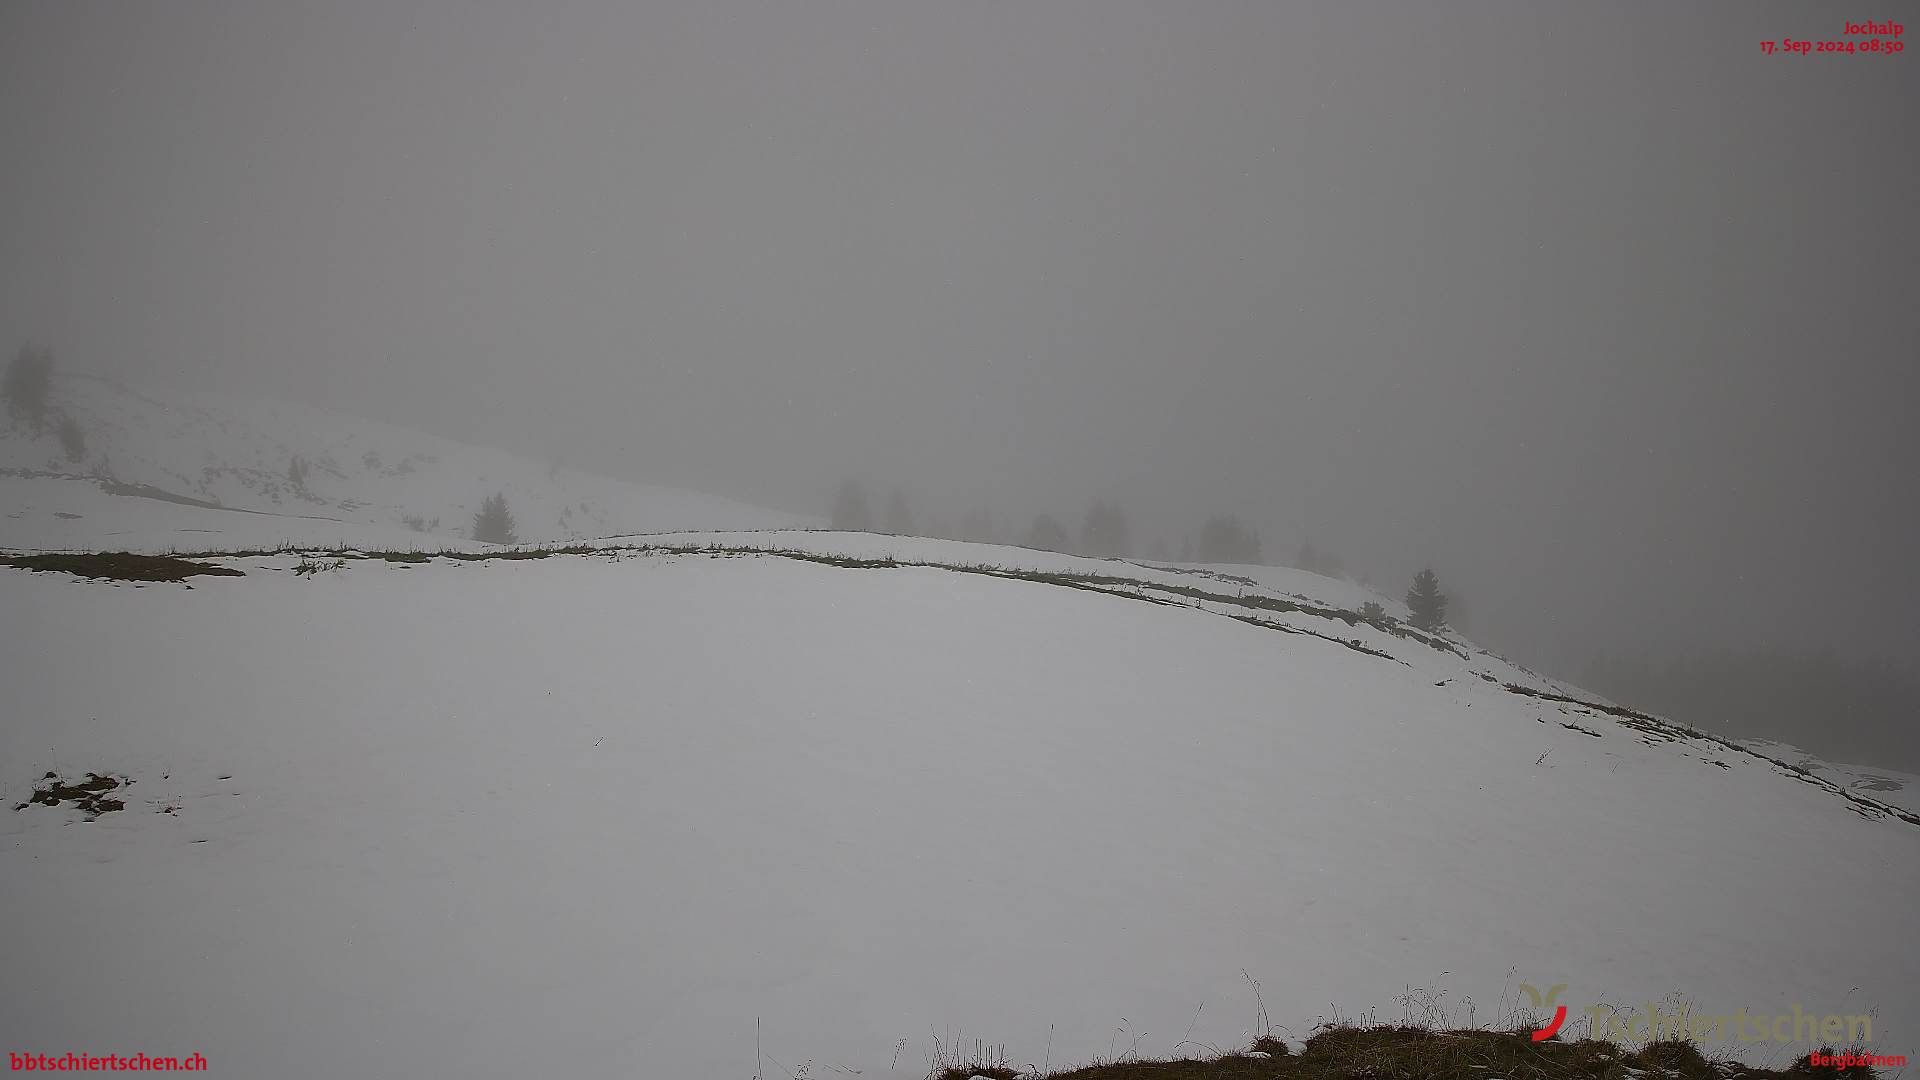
(201, 470)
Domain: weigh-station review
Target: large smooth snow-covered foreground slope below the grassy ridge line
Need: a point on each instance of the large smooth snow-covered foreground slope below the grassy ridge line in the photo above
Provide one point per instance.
(644, 814)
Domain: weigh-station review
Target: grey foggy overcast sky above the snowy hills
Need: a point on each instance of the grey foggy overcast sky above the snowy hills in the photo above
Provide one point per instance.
(1595, 307)
